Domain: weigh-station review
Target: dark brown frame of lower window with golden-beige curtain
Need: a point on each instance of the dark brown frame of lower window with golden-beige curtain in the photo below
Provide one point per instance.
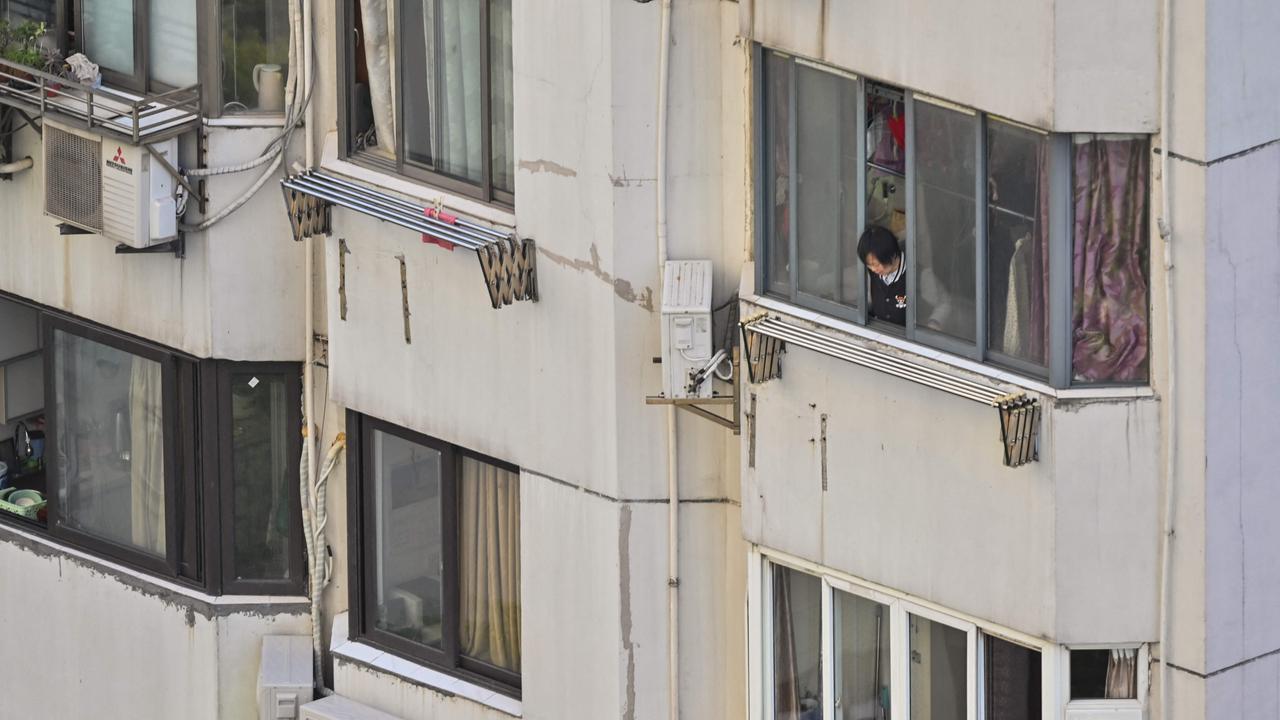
(362, 521)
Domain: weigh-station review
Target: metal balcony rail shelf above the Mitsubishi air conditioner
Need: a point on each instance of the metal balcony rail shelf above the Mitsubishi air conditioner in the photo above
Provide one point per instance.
(135, 119)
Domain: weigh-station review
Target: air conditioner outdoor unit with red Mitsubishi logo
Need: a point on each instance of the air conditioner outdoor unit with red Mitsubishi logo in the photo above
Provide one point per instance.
(111, 188)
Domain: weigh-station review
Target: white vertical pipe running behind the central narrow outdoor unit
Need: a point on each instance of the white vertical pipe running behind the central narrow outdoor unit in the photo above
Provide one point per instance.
(673, 449)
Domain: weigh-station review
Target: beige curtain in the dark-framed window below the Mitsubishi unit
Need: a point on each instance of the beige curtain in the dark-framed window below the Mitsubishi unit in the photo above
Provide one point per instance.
(147, 459)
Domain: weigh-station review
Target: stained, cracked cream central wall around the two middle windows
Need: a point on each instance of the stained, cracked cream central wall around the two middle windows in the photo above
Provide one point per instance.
(559, 388)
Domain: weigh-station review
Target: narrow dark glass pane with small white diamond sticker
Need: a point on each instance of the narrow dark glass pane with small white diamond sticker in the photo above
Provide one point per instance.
(262, 476)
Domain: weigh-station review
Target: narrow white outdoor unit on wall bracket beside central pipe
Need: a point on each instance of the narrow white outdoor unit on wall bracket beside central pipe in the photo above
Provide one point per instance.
(687, 327)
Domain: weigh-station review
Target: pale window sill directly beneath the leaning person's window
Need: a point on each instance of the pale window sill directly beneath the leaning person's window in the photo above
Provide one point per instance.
(961, 366)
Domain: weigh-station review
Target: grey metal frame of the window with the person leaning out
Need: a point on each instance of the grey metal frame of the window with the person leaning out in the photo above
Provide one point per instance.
(1058, 371)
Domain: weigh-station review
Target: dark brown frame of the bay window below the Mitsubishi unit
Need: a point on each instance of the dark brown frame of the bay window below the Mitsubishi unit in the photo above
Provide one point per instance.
(194, 445)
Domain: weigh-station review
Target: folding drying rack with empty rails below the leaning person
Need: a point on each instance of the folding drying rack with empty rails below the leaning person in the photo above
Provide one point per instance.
(766, 339)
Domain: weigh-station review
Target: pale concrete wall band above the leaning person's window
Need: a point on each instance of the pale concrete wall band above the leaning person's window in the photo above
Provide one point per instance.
(1087, 66)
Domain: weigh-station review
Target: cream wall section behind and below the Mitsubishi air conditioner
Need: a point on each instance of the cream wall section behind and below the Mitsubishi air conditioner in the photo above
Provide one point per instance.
(237, 294)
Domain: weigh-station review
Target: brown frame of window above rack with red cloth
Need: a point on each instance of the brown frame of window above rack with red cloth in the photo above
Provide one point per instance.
(484, 192)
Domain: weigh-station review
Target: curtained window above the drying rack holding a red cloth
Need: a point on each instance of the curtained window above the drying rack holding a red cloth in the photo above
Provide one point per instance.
(437, 103)
